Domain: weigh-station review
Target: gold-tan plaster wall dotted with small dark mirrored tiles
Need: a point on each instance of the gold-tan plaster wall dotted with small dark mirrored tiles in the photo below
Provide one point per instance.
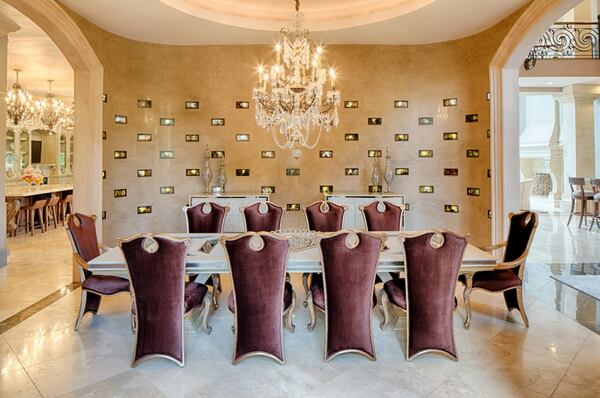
(218, 76)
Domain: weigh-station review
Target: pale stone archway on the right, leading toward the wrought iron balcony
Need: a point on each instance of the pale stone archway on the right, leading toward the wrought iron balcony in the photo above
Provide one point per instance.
(504, 84)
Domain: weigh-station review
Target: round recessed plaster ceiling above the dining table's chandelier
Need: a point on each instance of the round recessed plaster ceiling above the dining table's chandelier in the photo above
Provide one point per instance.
(257, 21)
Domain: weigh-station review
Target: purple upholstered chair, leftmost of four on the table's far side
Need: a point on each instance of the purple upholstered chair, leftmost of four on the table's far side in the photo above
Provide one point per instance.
(207, 217)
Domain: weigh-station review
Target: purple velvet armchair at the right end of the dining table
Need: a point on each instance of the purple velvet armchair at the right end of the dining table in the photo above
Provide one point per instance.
(508, 275)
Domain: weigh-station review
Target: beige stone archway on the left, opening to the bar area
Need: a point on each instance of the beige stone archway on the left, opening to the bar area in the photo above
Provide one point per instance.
(87, 173)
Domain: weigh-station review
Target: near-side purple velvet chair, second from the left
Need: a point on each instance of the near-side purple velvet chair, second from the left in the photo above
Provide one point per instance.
(261, 294)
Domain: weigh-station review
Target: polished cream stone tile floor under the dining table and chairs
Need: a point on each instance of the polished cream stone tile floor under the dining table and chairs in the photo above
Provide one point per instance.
(557, 356)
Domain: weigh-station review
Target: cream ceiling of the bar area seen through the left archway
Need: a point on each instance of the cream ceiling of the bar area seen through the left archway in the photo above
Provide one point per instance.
(31, 50)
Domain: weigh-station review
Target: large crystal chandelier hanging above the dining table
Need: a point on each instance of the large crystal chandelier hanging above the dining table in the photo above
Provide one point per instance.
(292, 93)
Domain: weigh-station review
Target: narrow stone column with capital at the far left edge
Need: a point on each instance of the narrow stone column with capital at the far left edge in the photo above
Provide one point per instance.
(6, 26)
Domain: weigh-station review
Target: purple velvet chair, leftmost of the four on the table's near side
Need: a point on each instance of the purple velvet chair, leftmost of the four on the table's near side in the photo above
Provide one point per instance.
(161, 297)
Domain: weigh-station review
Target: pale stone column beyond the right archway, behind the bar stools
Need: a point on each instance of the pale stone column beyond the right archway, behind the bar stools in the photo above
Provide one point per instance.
(577, 131)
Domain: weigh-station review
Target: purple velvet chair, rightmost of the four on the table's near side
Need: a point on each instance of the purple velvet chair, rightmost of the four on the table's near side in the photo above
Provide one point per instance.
(432, 264)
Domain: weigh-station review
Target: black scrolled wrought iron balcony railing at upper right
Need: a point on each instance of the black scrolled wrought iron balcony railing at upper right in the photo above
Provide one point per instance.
(567, 40)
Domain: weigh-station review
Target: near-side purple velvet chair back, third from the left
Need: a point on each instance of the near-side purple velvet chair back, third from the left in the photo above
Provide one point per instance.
(349, 268)
